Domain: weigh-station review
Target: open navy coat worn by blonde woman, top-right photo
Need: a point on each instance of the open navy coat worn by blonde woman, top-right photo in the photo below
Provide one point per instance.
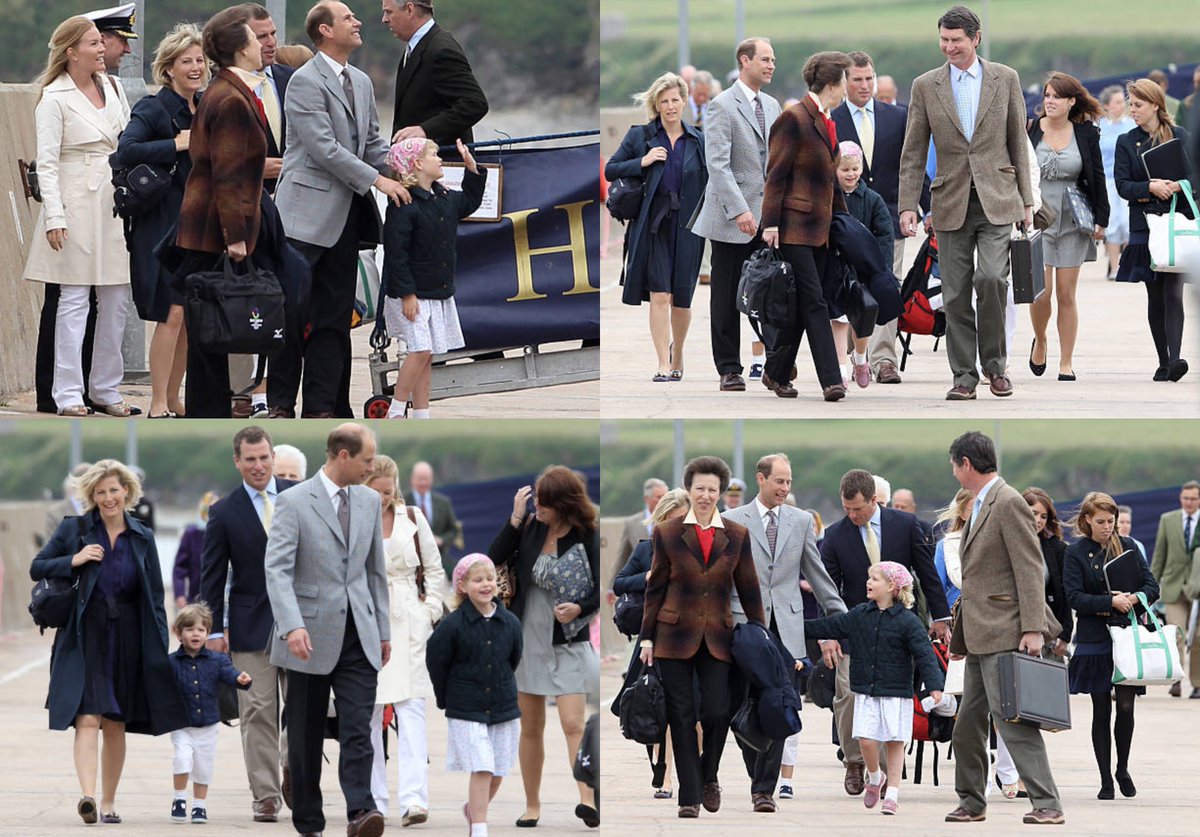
(627, 162)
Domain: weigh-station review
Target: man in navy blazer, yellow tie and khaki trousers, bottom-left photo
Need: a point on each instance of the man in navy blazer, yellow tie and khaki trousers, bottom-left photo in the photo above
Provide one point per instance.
(236, 538)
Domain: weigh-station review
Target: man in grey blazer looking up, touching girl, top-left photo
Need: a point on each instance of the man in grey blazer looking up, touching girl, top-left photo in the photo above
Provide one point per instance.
(333, 159)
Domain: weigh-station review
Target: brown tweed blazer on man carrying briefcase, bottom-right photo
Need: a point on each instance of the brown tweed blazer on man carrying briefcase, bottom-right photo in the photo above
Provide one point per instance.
(1004, 592)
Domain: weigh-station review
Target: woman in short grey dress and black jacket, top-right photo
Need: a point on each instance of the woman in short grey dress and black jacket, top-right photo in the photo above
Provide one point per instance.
(1069, 147)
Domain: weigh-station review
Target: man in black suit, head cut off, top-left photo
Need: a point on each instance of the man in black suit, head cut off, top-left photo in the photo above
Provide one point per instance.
(437, 95)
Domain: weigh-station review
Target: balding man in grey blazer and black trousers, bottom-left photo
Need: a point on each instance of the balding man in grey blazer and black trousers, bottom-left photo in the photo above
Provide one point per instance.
(328, 585)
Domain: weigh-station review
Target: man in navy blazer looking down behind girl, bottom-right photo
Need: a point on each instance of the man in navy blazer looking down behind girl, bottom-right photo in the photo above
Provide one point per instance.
(871, 534)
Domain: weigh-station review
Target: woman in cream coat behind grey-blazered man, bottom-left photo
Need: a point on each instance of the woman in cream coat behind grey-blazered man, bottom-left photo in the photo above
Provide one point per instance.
(405, 682)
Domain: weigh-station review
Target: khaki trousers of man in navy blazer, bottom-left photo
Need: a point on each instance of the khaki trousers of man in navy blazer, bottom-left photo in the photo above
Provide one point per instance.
(260, 707)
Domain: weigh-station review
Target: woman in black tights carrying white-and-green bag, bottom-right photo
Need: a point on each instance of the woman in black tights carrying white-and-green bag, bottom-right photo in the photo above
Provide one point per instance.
(1097, 609)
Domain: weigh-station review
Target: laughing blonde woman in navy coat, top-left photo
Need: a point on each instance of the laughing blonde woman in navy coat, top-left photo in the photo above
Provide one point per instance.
(158, 134)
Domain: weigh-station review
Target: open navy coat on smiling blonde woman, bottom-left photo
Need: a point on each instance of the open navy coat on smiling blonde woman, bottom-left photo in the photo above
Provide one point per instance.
(166, 708)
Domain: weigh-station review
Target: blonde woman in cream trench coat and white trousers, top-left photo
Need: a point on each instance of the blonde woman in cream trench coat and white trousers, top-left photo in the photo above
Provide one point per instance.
(75, 139)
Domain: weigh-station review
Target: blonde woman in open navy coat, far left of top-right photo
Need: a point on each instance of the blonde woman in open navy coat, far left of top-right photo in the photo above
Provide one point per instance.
(662, 255)
